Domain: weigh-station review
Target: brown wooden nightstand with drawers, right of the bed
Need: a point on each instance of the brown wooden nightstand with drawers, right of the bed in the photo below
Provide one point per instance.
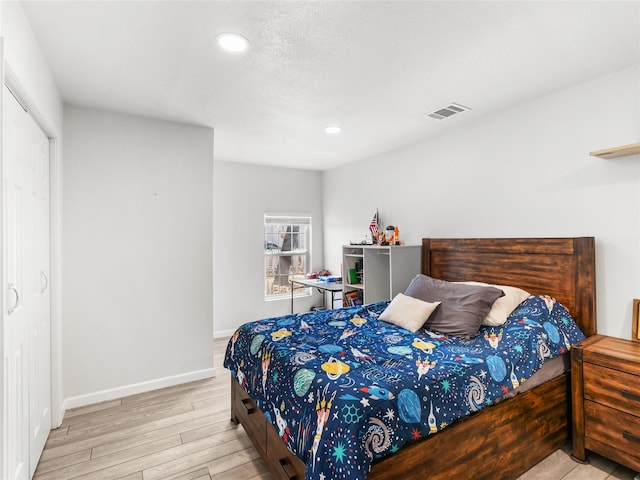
(605, 379)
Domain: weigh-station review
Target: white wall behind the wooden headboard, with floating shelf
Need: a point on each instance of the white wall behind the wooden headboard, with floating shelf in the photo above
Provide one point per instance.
(521, 172)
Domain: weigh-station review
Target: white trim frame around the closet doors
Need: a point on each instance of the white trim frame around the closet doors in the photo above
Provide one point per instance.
(55, 232)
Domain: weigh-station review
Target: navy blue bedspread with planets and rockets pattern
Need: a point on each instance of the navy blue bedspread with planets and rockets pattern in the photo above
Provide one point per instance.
(343, 388)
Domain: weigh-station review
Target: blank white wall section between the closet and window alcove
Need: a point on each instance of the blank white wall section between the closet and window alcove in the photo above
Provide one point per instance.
(137, 254)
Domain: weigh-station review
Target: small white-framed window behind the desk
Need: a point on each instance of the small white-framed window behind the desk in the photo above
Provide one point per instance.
(287, 254)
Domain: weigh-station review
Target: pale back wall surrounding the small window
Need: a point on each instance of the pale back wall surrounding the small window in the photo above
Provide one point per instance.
(242, 195)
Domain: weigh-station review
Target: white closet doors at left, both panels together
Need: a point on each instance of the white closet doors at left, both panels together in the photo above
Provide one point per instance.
(26, 322)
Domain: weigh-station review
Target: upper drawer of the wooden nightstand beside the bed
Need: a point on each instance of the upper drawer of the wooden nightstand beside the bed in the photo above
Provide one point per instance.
(613, 388)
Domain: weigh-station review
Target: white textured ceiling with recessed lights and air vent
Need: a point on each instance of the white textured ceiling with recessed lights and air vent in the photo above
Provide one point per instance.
(374, 68)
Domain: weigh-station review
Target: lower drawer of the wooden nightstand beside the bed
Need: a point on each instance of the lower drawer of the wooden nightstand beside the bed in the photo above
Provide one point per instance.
(612, 427)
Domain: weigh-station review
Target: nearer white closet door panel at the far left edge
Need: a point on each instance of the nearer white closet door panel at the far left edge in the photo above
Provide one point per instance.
(16, 316)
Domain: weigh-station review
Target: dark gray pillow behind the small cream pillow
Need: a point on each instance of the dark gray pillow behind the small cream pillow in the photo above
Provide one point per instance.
(462, 308)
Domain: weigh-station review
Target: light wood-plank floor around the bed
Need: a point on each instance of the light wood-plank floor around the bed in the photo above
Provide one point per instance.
(184, 432)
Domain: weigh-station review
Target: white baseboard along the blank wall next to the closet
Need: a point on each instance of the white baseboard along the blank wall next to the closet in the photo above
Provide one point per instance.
(124, 391)
